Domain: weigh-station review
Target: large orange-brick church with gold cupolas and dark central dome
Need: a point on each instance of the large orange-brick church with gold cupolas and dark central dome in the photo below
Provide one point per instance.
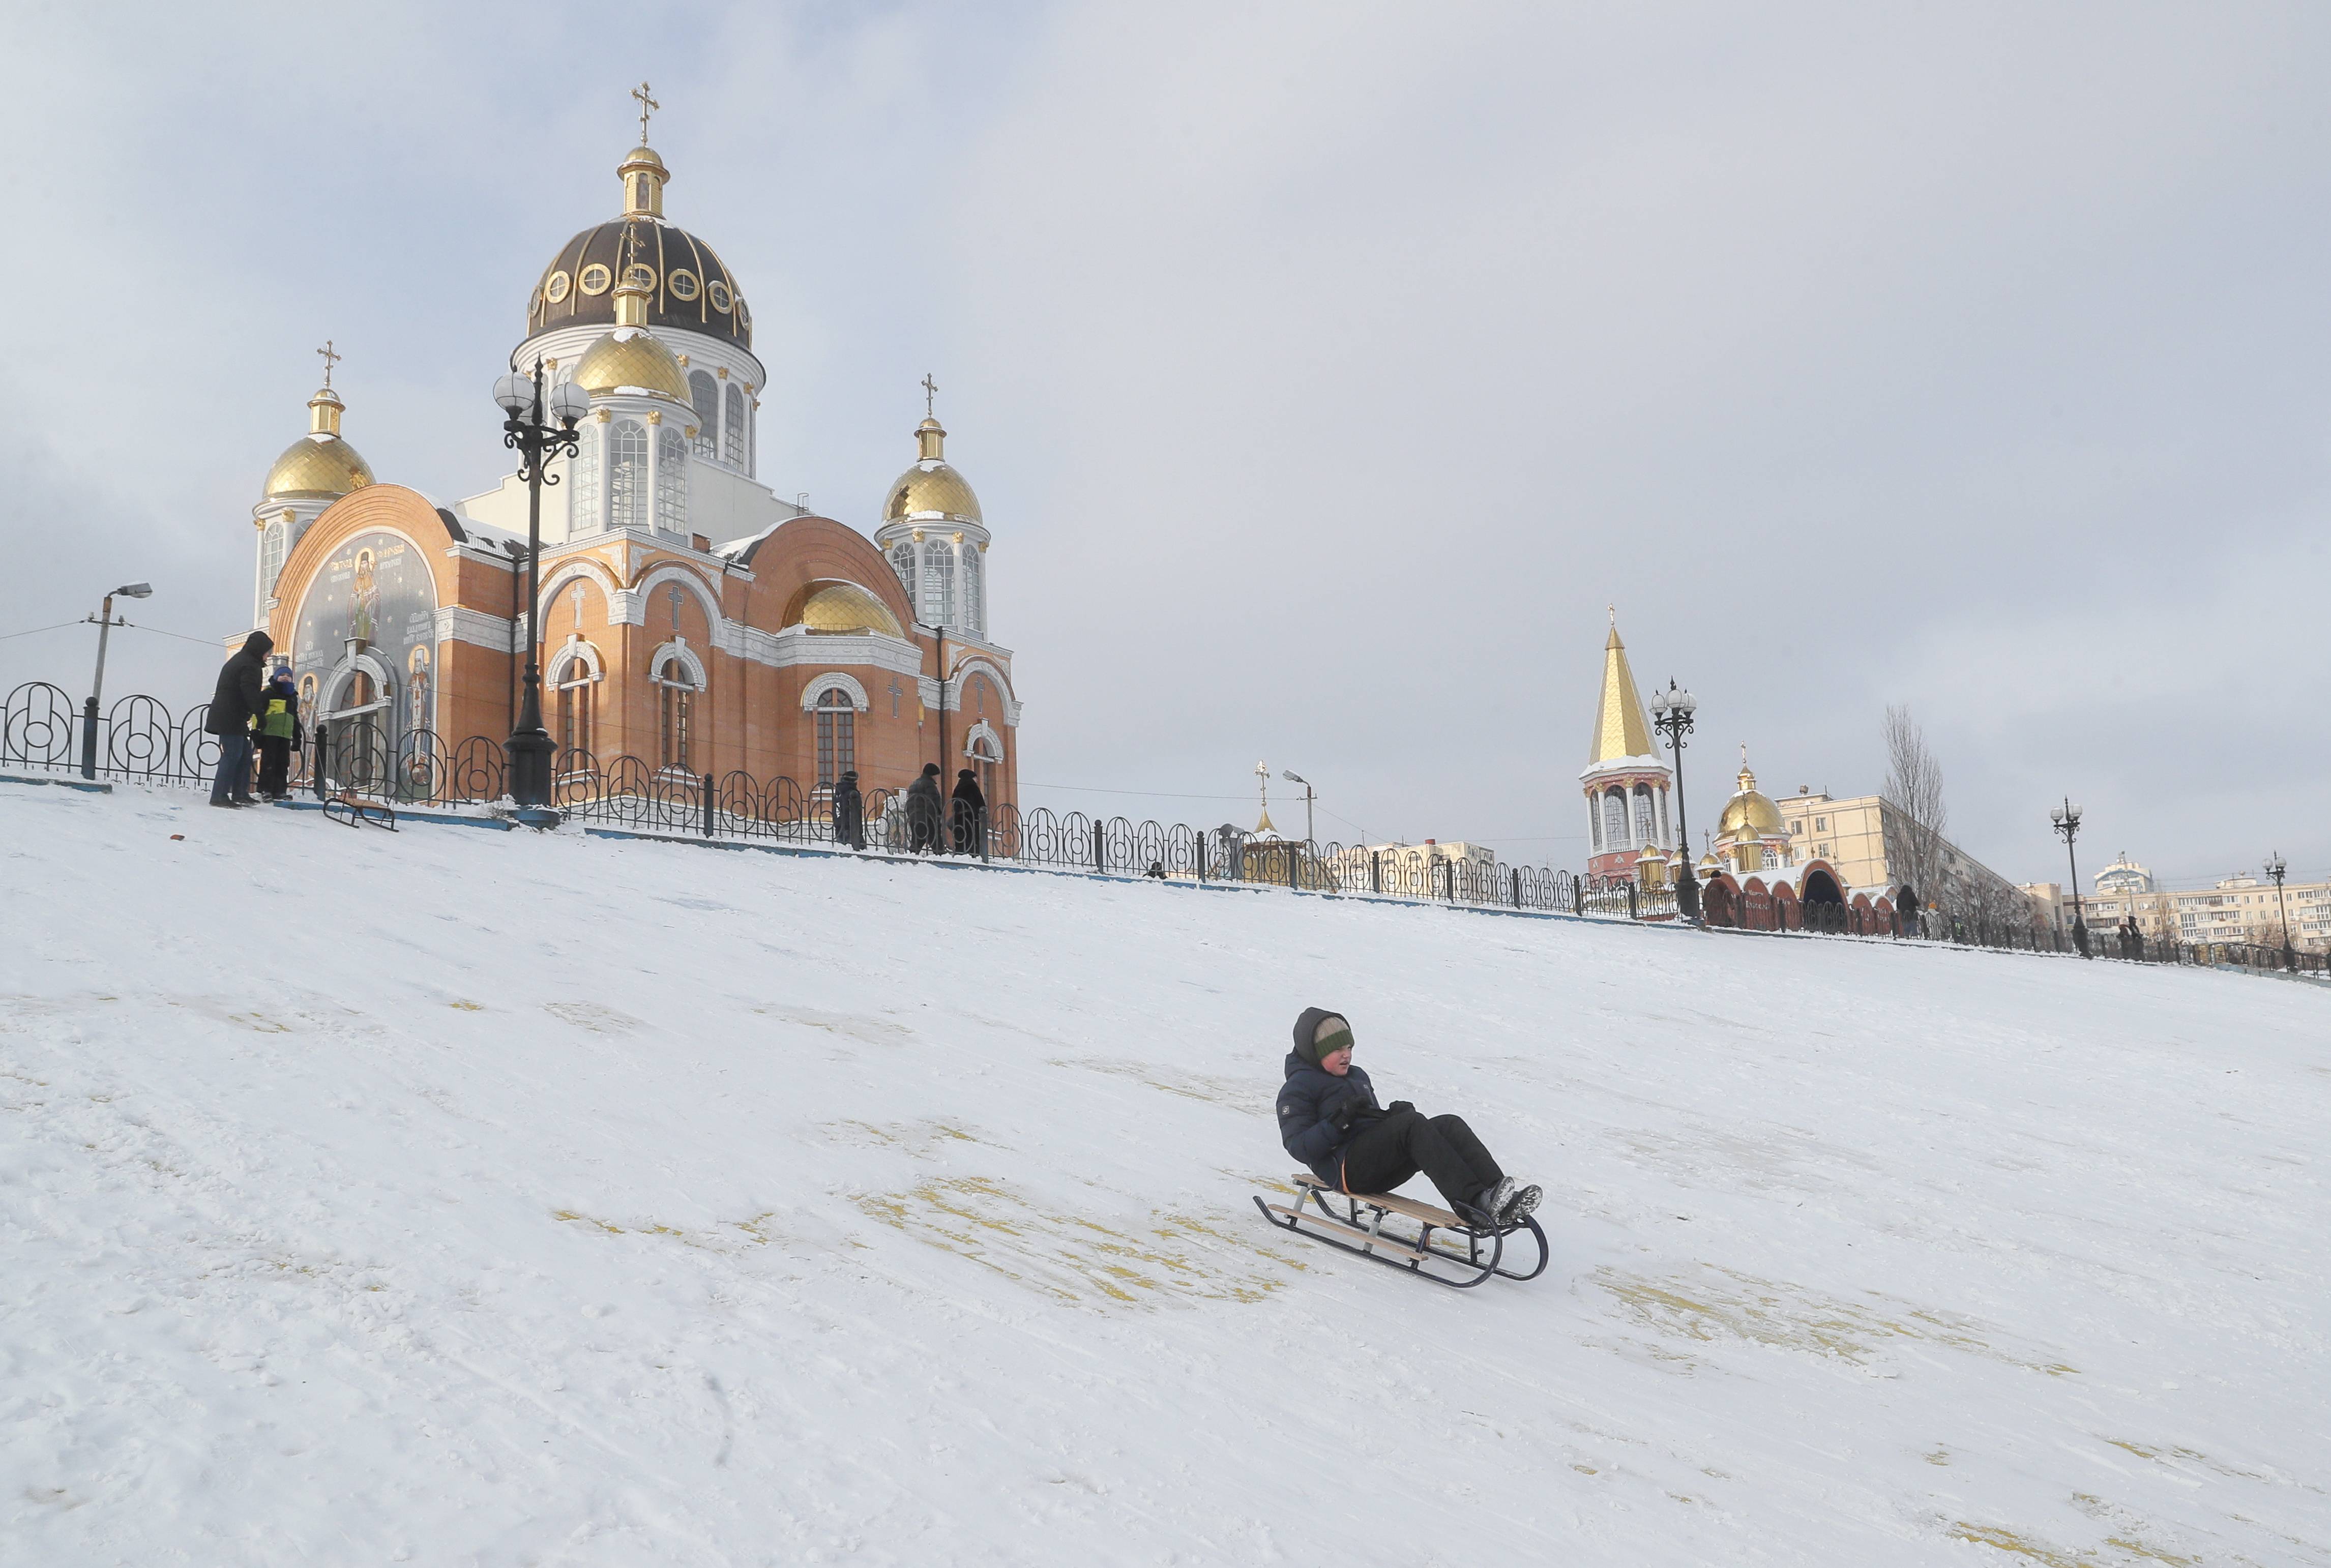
(689, 616)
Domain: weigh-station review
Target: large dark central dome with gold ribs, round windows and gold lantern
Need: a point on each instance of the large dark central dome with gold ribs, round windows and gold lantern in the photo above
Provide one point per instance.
(689, 285)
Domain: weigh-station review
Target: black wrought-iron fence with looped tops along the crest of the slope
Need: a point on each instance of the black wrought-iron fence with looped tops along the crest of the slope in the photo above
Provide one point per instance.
(141, 742)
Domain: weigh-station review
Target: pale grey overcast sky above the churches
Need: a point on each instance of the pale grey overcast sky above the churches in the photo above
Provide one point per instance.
(1323, 372)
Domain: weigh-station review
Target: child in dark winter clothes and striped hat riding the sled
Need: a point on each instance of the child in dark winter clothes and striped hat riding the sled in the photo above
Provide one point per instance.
(1330, 1120)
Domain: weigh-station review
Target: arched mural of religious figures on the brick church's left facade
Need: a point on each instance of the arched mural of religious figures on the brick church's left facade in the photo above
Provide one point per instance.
(365, 628)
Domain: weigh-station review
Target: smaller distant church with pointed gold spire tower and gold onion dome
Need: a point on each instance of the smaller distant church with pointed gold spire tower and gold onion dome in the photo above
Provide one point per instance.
(1752, 873)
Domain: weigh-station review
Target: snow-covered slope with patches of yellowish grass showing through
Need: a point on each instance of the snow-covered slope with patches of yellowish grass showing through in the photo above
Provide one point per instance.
(507, 1199)
